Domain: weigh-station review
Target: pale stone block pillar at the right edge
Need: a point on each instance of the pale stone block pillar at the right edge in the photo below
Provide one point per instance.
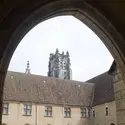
(119, 90)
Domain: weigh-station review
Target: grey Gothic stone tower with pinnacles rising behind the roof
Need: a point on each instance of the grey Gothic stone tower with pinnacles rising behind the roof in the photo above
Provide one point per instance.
(59, 65)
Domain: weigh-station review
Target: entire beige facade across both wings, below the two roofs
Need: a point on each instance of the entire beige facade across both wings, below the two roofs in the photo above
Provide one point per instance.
(16, 116)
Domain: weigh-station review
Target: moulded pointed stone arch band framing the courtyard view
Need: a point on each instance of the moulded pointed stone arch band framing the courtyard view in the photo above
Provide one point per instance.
(78, 8)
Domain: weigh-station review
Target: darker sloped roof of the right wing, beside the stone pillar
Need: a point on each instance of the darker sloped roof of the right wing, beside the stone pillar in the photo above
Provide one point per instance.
(104, 91)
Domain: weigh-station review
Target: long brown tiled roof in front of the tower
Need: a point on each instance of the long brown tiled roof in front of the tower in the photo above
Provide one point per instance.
(46, 90)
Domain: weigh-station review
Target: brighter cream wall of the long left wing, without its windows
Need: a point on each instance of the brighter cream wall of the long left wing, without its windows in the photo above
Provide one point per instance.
(16, 115)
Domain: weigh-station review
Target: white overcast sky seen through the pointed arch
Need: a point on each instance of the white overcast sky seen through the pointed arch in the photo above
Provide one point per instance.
(89, 56)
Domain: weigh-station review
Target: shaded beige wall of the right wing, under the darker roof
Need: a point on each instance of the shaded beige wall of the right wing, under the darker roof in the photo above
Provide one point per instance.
(105, 114)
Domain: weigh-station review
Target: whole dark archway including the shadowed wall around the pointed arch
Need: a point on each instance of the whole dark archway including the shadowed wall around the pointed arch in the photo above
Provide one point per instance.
(20, 16)
